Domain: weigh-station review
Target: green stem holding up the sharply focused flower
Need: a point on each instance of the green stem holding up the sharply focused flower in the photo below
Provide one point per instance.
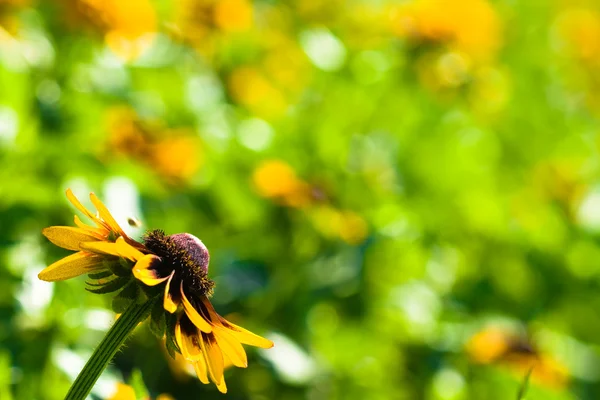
(107, 349)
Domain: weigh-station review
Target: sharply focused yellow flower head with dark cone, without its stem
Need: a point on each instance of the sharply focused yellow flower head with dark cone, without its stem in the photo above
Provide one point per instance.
(174, 267)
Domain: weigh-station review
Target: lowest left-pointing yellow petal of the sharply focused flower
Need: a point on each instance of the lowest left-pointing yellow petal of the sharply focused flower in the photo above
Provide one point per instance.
(74, 265)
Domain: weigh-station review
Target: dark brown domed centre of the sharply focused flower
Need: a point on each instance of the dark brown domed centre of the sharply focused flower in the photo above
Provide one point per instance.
(187, 256)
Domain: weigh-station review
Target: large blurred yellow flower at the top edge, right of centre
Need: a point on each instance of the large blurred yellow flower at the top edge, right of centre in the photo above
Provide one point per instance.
(465, 36)
